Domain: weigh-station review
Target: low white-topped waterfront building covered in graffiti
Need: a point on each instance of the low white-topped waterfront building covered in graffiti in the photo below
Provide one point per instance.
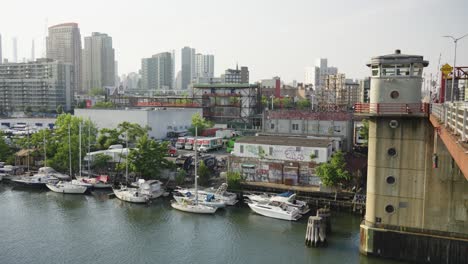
(282, 160)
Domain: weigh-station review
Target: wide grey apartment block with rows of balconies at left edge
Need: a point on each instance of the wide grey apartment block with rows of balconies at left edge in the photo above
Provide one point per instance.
(41, 85)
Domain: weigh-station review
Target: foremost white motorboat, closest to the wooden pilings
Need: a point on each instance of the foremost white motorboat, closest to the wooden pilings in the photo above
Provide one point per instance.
(276, 210)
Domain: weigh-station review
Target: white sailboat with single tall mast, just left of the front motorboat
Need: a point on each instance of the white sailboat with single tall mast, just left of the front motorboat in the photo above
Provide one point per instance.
(193, 205)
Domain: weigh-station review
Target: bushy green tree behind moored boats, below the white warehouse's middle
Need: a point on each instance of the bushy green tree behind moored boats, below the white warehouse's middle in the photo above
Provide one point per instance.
(148, 159)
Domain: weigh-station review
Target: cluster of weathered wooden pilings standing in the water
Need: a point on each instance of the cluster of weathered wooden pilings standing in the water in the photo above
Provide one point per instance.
(318, 227)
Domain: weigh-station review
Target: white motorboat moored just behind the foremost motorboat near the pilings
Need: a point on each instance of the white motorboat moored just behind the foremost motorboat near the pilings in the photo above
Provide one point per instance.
(288, 198)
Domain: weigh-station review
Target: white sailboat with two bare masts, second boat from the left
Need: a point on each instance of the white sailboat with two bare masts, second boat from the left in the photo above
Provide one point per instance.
(73, 187)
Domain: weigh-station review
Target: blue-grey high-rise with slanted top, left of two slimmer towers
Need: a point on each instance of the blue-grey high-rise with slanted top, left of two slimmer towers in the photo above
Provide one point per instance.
(157, 72)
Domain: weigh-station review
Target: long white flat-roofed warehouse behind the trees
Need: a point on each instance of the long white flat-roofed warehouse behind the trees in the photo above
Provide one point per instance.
(161, 121)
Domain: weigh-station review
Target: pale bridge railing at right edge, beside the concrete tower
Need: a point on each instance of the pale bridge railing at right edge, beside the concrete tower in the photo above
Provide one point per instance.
(453, 116)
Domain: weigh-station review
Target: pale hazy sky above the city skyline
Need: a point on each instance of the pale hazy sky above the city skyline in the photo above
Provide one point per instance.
(270, 37)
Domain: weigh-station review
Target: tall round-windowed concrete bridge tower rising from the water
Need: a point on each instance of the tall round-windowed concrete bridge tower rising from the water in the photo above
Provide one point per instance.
(399, 211)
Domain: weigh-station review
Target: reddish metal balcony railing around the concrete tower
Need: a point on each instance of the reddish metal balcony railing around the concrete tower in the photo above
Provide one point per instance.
(391, 108)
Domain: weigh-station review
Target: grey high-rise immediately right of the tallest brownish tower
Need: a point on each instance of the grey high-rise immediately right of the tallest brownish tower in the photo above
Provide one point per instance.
(98, 62)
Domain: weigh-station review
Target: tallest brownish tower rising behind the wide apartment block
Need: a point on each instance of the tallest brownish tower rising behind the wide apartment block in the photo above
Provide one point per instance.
(64, 44)
